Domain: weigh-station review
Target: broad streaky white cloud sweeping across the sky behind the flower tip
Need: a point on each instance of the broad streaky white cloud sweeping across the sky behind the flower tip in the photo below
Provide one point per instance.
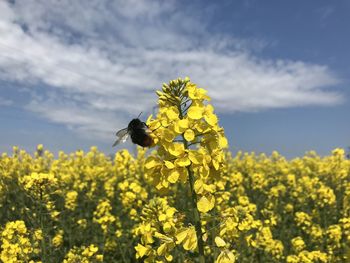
(104, 59)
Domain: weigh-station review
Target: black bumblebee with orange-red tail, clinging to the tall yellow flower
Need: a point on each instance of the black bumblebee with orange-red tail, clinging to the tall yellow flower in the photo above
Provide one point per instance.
(138, 131)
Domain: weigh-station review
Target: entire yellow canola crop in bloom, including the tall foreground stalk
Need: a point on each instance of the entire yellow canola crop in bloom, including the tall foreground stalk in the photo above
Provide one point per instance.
(187, 199)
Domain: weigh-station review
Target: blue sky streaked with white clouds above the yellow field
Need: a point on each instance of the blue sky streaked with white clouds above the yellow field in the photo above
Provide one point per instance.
(74, 72)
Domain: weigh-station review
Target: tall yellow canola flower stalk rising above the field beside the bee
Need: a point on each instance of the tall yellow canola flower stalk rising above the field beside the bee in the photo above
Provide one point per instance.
(189, 152)
